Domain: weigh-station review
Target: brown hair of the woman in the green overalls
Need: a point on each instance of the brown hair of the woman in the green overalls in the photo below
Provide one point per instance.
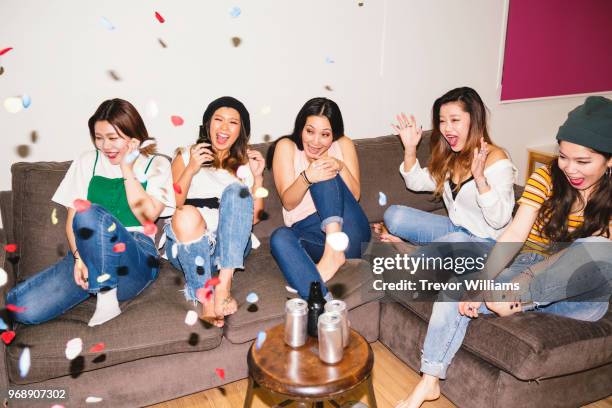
(122, 116)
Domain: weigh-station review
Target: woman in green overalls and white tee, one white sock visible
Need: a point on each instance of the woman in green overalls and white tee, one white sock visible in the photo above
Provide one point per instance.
(110, 256)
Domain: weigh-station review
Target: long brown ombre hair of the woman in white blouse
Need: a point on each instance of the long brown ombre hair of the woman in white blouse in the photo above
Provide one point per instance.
(444, 161)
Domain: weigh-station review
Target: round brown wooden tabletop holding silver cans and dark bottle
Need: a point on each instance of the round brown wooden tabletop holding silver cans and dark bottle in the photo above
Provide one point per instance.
(299, 373)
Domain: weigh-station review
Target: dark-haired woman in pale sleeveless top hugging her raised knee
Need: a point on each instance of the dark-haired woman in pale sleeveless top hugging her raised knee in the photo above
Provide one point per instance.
(316, 173)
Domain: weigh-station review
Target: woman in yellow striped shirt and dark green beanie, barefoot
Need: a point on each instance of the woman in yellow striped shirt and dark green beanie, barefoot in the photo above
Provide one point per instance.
(567, 202)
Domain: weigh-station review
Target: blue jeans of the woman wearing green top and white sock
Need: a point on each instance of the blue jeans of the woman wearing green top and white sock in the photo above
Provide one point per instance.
(53, 291)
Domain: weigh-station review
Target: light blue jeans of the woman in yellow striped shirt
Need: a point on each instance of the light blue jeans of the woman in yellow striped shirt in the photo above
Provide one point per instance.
(447, 326)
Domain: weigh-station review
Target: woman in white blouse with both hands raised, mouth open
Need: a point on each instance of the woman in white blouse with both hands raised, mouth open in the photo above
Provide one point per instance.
(474, 177)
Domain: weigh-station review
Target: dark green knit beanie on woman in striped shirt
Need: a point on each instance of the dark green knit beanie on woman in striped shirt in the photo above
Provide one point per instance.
(590, 125)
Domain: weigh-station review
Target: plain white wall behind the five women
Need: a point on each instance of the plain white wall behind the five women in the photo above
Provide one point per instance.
(390, 55)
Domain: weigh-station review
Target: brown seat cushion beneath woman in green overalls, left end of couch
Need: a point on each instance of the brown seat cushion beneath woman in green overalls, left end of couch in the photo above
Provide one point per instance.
(152, 324)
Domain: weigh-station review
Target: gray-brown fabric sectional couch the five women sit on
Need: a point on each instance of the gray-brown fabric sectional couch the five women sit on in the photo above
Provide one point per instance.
(151, 355)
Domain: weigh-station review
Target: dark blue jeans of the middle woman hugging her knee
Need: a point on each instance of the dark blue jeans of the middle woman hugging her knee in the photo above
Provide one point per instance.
(298, 248)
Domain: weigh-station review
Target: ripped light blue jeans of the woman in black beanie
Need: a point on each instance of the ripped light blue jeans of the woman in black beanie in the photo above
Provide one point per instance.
(227, 251)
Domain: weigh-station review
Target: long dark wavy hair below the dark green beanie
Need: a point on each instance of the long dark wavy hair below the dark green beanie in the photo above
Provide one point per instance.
(555, 211)
